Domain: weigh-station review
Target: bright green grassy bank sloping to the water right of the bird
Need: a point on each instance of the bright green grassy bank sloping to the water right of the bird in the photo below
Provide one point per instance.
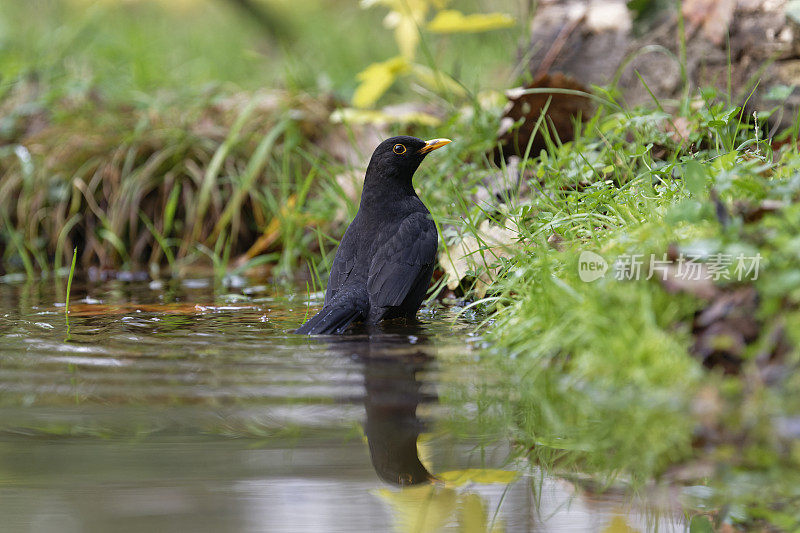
(607, 377)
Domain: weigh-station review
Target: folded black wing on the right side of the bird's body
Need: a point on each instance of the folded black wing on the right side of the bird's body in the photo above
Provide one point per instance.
(398, 262)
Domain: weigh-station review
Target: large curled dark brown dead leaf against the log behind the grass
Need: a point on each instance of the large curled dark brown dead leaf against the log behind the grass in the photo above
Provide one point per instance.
(527, 108)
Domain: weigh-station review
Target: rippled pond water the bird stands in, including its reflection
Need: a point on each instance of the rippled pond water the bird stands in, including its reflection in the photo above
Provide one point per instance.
(185, 408)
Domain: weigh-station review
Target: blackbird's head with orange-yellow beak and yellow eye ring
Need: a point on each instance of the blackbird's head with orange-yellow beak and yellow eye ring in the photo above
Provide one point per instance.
(399, 157)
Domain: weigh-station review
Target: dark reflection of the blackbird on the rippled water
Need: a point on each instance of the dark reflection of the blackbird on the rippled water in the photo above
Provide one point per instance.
(391, 363)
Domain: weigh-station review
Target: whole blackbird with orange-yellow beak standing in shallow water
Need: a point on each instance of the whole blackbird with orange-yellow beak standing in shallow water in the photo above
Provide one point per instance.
(385, 261)
